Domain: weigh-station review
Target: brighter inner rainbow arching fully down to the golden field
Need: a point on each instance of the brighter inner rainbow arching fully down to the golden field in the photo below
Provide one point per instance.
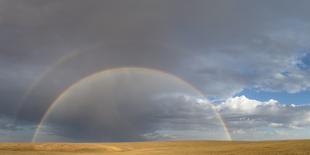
(108, 71)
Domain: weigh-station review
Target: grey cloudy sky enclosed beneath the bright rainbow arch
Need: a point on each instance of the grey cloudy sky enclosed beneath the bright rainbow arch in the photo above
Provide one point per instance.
(130, 105)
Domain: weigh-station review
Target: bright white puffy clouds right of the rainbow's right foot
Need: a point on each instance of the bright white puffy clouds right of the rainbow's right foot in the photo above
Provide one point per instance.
(252, 119)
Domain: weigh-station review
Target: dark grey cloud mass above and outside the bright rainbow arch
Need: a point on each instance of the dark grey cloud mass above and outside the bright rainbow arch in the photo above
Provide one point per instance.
(221, 47)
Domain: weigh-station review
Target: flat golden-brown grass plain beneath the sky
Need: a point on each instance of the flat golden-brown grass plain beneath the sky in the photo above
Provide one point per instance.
(300, 147)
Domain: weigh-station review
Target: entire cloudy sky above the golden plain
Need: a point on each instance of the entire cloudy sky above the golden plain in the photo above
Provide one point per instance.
(246, 61)
